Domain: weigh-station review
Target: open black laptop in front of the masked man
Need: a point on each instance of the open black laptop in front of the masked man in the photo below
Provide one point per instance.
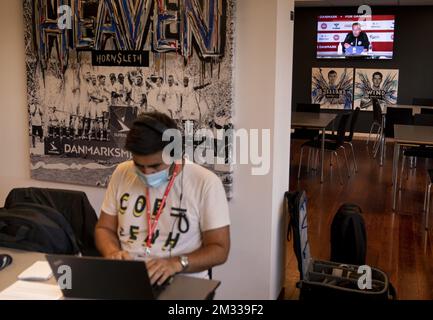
(103, 279)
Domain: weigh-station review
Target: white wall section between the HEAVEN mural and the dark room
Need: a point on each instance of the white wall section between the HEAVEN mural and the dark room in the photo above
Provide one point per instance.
(263, 95)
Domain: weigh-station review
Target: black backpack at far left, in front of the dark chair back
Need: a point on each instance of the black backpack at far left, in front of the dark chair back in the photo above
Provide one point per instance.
(35, 227)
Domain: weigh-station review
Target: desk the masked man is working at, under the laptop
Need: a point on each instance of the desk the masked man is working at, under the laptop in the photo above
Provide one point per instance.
(182, 288)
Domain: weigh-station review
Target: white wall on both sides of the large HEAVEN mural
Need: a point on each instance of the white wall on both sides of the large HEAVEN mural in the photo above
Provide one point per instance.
(263, 95)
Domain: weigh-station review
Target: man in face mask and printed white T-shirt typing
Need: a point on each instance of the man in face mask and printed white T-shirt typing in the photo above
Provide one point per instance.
(189, 233)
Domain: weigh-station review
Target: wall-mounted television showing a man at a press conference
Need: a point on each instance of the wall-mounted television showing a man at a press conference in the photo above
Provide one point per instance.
(353, 36)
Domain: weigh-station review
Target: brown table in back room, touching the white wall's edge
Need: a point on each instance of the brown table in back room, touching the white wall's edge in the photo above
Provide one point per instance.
(318, 121)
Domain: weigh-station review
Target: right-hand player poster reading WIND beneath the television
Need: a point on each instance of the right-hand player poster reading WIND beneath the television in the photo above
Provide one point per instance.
(372, 84)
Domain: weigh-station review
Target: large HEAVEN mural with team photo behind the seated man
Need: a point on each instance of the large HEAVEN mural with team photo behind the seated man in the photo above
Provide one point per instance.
(115, 59)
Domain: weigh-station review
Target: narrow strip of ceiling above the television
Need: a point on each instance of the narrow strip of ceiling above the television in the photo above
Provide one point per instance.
(354, 3)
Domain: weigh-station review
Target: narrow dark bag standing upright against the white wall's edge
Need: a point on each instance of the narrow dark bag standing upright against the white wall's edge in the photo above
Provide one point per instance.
(296, 207)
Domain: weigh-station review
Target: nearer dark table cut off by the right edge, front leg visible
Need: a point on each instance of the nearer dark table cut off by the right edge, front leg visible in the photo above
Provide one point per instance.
(407, 135)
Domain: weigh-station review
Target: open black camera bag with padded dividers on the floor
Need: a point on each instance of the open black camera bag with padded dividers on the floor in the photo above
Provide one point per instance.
(327, 280)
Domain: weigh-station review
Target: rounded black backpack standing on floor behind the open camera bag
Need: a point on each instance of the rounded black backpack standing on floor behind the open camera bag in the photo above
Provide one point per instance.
(348, 236)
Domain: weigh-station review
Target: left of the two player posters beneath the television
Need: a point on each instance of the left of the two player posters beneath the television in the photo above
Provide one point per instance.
(332, 88)
